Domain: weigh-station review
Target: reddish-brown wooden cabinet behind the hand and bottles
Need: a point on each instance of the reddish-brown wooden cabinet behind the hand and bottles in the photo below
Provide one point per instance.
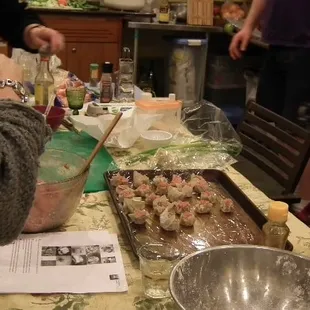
(93, 39)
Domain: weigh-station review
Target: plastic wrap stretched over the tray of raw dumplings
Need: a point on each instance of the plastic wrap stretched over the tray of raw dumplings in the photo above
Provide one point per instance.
(214, 227)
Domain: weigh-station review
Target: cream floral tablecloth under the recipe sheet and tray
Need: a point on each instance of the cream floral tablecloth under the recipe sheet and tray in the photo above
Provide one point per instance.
(96, 213)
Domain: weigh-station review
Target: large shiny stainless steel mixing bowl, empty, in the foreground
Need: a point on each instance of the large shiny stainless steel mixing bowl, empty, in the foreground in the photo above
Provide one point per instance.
(242, 278)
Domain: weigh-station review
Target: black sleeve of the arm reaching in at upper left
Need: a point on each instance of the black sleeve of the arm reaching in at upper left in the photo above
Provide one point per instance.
(14, 20)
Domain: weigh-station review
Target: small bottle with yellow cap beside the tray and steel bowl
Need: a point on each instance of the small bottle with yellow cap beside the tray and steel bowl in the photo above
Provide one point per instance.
(276, 231)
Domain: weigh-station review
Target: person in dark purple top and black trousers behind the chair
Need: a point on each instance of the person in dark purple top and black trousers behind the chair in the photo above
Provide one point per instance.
(285, 78)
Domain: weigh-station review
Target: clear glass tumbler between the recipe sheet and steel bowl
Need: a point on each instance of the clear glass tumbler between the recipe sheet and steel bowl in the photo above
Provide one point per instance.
(156, 264)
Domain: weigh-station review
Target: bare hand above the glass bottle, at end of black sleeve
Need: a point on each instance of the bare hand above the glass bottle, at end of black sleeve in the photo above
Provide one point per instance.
(41, 37)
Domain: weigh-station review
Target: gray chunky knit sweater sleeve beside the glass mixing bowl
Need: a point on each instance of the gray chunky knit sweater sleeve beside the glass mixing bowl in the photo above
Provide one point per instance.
(23, 135)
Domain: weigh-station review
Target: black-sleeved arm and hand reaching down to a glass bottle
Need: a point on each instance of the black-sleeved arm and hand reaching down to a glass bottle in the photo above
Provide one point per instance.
(22, 28)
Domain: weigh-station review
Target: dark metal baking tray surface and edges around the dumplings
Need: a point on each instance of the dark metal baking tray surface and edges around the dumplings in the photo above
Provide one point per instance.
(243, 226)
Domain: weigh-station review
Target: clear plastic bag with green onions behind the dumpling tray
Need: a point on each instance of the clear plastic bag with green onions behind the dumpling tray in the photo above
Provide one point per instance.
(206, 140)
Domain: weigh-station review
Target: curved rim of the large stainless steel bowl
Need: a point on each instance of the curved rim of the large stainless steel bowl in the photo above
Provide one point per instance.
(226, 247)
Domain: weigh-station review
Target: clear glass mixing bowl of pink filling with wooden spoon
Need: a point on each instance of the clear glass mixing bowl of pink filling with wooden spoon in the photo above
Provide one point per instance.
(59, 190)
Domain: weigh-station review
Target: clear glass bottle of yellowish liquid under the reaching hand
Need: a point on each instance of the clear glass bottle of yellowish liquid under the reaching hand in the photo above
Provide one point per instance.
(44, 82)
